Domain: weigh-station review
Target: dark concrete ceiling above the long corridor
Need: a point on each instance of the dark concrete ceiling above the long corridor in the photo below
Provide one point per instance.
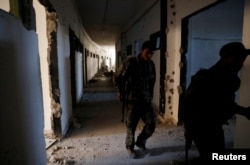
(104, 20)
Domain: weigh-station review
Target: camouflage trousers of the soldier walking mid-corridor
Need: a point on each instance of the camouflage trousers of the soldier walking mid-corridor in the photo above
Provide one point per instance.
(135, 112)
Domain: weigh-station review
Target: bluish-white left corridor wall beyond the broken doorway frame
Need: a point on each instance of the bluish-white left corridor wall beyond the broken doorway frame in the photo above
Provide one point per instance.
(68, 17)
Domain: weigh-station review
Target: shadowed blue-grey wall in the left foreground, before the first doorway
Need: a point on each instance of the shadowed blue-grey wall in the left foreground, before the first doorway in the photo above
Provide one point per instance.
(22, 120)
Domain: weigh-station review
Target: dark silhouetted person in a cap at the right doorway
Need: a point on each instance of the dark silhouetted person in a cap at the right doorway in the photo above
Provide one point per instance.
(209, 101)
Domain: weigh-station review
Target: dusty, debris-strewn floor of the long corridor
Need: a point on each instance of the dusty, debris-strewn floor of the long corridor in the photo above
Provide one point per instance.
(100, 139)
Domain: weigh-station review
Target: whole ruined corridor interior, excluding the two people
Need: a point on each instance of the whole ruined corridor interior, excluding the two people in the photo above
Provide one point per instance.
(56, 65)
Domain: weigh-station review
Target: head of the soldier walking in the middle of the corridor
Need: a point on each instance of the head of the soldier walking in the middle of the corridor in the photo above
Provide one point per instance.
(147, 50)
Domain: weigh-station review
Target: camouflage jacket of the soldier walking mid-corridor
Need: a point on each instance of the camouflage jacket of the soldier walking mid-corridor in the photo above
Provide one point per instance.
(135, 79)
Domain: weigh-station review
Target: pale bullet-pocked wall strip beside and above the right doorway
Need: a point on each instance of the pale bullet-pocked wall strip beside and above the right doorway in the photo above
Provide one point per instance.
(182, 8)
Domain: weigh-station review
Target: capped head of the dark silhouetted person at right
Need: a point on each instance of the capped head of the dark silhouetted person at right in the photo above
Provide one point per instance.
(233, 55)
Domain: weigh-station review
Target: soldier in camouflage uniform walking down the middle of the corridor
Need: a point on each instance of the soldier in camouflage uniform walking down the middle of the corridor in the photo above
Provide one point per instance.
(135, 81)
